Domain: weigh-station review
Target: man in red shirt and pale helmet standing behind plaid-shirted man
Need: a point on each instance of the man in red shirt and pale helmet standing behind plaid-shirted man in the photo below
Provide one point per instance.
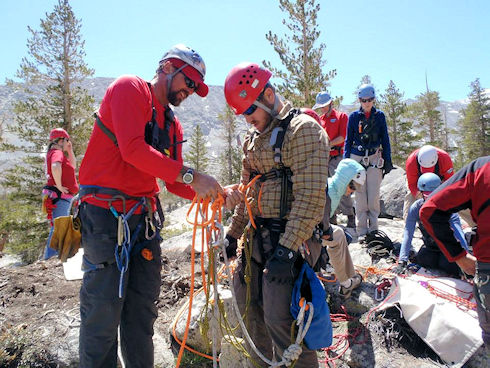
(335, 124)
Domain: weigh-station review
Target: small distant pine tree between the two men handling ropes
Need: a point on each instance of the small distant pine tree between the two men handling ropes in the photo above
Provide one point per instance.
(230, 160)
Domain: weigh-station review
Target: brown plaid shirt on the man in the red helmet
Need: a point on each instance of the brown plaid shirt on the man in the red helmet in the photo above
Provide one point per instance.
(305, 151)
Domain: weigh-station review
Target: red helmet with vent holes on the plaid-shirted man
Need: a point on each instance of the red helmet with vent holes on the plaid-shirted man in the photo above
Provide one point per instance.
(244, 84)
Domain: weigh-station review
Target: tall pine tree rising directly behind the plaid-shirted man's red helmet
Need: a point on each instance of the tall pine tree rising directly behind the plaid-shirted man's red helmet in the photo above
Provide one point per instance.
(303, 62)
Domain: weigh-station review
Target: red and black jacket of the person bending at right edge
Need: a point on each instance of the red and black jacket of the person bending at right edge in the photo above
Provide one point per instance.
(468, 188)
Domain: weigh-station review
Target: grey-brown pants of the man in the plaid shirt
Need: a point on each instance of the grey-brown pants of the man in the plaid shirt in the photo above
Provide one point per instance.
(268, 318)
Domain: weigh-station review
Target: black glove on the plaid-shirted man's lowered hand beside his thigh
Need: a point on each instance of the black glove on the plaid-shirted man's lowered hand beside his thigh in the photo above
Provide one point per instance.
(280, 267)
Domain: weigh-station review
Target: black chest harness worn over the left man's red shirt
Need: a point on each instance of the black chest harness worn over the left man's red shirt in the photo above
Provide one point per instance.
(155, 136)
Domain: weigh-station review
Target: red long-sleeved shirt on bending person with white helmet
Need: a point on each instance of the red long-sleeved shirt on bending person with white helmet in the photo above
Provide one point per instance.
(412, 168)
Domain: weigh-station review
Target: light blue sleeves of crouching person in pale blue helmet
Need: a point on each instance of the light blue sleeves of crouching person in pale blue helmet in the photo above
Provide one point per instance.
(413, 218)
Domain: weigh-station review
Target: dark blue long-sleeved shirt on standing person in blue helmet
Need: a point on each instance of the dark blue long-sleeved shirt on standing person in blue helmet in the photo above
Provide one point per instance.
(353, 143)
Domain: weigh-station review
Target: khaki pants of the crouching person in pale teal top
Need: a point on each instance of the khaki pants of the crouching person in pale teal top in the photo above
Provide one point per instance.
(338, 251)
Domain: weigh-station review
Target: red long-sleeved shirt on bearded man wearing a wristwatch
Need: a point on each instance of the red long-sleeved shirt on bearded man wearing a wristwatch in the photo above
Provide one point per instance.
(133, 166)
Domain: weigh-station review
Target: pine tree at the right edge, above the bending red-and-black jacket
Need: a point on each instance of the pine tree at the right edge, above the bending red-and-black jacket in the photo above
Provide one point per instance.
(475, 124)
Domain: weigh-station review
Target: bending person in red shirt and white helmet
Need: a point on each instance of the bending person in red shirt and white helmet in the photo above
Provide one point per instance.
(423, 160)
